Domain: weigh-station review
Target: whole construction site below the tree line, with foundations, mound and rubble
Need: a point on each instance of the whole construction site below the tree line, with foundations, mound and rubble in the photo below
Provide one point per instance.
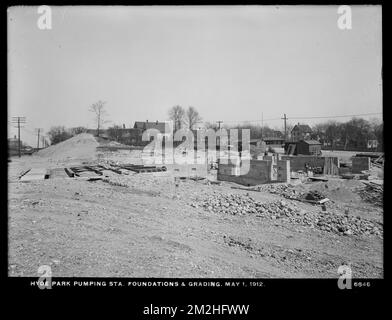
(92, 207)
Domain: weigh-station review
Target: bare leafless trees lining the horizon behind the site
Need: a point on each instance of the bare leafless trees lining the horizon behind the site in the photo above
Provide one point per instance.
(353, 134)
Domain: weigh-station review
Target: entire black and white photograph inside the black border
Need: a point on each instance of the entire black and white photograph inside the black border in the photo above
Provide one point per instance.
(195, 142)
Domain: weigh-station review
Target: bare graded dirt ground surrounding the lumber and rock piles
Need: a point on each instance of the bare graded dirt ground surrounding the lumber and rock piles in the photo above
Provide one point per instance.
(141, 225)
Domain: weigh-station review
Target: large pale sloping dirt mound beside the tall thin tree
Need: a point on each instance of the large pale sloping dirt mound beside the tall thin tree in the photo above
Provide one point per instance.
(81, 146)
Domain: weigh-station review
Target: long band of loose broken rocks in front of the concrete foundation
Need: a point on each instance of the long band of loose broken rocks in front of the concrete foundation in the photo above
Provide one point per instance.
(236, 204)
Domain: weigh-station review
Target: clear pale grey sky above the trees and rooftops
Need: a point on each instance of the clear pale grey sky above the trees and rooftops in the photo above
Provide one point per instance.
(232, 63)
